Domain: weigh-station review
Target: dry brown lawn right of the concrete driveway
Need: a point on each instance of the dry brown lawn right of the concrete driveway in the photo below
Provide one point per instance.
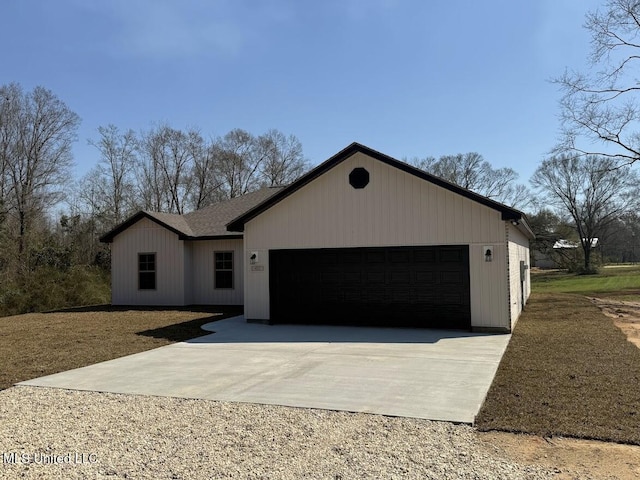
(568, 371)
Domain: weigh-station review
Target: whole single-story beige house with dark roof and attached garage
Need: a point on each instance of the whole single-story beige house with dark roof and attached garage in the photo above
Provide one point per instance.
(361, 239)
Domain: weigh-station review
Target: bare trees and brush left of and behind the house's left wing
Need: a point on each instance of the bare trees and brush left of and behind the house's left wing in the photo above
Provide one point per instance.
(50, 223)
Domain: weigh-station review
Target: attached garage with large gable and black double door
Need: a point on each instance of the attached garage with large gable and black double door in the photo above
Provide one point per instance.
(368, 240)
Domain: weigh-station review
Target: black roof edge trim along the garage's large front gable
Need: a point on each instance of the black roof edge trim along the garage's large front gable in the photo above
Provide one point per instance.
(508, 213)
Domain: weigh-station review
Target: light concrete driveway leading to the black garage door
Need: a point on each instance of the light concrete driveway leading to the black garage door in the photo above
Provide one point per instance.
(432, 374)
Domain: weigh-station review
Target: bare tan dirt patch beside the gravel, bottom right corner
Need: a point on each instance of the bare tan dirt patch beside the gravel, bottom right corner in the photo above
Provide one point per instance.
(590, 458)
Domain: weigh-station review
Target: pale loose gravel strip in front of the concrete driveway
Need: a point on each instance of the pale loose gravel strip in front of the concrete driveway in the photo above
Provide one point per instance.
(57, 433)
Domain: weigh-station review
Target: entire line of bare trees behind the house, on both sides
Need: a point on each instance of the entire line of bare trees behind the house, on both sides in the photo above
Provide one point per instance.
(50, 222)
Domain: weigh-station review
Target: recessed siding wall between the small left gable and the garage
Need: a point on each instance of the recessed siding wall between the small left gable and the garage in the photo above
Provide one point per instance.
(201, 272)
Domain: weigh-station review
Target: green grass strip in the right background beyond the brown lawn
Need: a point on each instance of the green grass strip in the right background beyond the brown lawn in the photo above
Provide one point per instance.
(619, 281)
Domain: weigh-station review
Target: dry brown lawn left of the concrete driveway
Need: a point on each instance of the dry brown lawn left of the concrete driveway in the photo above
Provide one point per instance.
(37, 344)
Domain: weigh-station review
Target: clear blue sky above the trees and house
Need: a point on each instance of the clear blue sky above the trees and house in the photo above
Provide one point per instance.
(408, 78)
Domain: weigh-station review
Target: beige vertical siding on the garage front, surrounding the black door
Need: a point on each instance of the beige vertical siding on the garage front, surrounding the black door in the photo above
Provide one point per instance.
(395, 209)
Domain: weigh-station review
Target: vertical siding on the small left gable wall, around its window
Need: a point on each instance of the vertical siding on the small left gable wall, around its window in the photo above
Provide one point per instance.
(146, 236)
